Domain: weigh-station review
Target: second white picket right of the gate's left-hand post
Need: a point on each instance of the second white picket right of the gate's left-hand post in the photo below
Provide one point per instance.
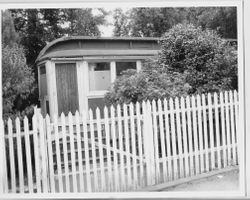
(58, 154)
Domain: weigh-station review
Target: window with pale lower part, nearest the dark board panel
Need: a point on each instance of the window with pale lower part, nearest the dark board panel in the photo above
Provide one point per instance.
(99, 76)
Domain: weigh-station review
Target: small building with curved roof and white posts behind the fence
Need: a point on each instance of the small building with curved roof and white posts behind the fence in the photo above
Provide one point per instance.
(74, 73)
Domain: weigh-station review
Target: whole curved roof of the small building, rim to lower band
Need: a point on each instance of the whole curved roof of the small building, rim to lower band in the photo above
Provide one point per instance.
(75, 46)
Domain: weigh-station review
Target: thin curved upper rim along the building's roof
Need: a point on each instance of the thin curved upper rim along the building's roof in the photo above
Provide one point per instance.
(40, 56)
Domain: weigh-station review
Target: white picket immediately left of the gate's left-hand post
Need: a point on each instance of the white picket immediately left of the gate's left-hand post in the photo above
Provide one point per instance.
(37, 154)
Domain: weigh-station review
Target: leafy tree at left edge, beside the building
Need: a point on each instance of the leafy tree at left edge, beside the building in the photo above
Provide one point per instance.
(17, 77)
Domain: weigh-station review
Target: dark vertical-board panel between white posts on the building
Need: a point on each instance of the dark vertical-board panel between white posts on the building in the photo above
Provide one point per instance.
(67, 89)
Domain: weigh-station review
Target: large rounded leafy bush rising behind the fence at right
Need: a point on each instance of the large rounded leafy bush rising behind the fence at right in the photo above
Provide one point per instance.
(209, 62)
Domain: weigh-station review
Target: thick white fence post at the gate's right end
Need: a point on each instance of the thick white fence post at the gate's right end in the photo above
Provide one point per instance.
(148, 143)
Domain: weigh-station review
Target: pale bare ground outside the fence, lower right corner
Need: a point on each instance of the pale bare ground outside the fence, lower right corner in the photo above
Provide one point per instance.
(225, 181)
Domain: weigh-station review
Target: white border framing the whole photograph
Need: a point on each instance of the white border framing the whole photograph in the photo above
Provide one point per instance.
(244, 92)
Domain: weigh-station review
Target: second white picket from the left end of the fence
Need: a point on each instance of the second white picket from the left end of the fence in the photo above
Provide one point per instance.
(20, 156)
